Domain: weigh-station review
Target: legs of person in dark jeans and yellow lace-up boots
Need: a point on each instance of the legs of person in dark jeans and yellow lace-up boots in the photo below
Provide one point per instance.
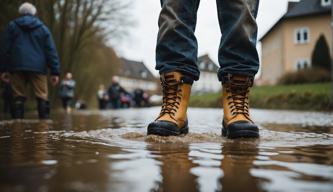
(176, 60)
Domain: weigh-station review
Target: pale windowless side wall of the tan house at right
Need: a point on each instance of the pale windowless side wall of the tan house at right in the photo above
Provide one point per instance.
(272, 56)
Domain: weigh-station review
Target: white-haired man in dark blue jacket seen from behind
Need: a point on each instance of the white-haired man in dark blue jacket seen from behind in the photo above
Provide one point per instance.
(29, 51)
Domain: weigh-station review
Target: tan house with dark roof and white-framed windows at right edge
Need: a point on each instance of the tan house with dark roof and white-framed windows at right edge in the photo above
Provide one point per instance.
(288, 45)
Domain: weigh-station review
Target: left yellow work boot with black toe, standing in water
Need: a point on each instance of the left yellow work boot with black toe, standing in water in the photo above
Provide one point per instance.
(172, 120)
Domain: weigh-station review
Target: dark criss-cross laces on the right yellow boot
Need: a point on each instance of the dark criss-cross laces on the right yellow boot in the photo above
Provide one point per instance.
(239, 98)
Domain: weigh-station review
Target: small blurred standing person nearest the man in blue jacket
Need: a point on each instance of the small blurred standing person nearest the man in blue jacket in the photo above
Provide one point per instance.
(67, 87)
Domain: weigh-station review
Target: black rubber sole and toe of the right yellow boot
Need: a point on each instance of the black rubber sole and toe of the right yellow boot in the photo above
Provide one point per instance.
(239, 133)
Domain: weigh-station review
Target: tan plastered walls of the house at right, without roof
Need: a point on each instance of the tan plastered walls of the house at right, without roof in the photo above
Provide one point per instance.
(280, 52)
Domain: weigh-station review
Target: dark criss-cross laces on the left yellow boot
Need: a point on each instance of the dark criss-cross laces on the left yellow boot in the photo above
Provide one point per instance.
(171, 96)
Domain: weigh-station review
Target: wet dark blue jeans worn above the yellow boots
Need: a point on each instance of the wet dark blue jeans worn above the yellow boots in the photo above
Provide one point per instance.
(177, 46)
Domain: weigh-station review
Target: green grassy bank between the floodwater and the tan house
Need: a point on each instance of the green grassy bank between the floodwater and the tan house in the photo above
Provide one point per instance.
(299, 97)
